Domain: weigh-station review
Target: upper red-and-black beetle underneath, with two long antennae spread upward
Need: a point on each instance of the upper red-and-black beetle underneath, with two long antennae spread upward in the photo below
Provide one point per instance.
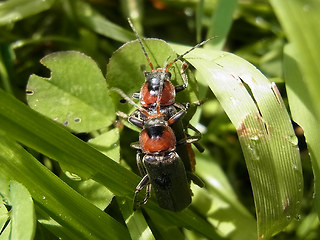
(158, 85)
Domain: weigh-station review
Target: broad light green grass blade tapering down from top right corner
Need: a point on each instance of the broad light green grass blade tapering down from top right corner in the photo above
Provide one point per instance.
(300, 20)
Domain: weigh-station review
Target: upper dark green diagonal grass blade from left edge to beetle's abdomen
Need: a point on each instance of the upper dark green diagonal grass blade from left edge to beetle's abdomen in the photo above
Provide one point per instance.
(47, 137)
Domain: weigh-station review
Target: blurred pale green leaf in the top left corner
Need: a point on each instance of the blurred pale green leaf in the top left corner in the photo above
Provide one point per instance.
(14, 10)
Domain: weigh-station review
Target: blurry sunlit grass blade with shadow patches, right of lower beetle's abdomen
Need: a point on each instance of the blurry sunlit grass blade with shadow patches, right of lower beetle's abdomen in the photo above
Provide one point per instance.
(220, 203)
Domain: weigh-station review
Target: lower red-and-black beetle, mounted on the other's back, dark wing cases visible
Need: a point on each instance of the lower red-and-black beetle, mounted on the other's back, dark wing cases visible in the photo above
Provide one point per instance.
(161, 166)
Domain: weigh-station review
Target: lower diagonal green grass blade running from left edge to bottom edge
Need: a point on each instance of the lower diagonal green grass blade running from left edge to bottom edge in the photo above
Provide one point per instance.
(79, 218)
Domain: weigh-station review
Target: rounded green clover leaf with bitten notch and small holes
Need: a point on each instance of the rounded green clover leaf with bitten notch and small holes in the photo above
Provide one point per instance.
(75, 94)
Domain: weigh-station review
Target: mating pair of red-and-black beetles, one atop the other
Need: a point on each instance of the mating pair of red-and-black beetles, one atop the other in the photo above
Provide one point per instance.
(161, 137)
